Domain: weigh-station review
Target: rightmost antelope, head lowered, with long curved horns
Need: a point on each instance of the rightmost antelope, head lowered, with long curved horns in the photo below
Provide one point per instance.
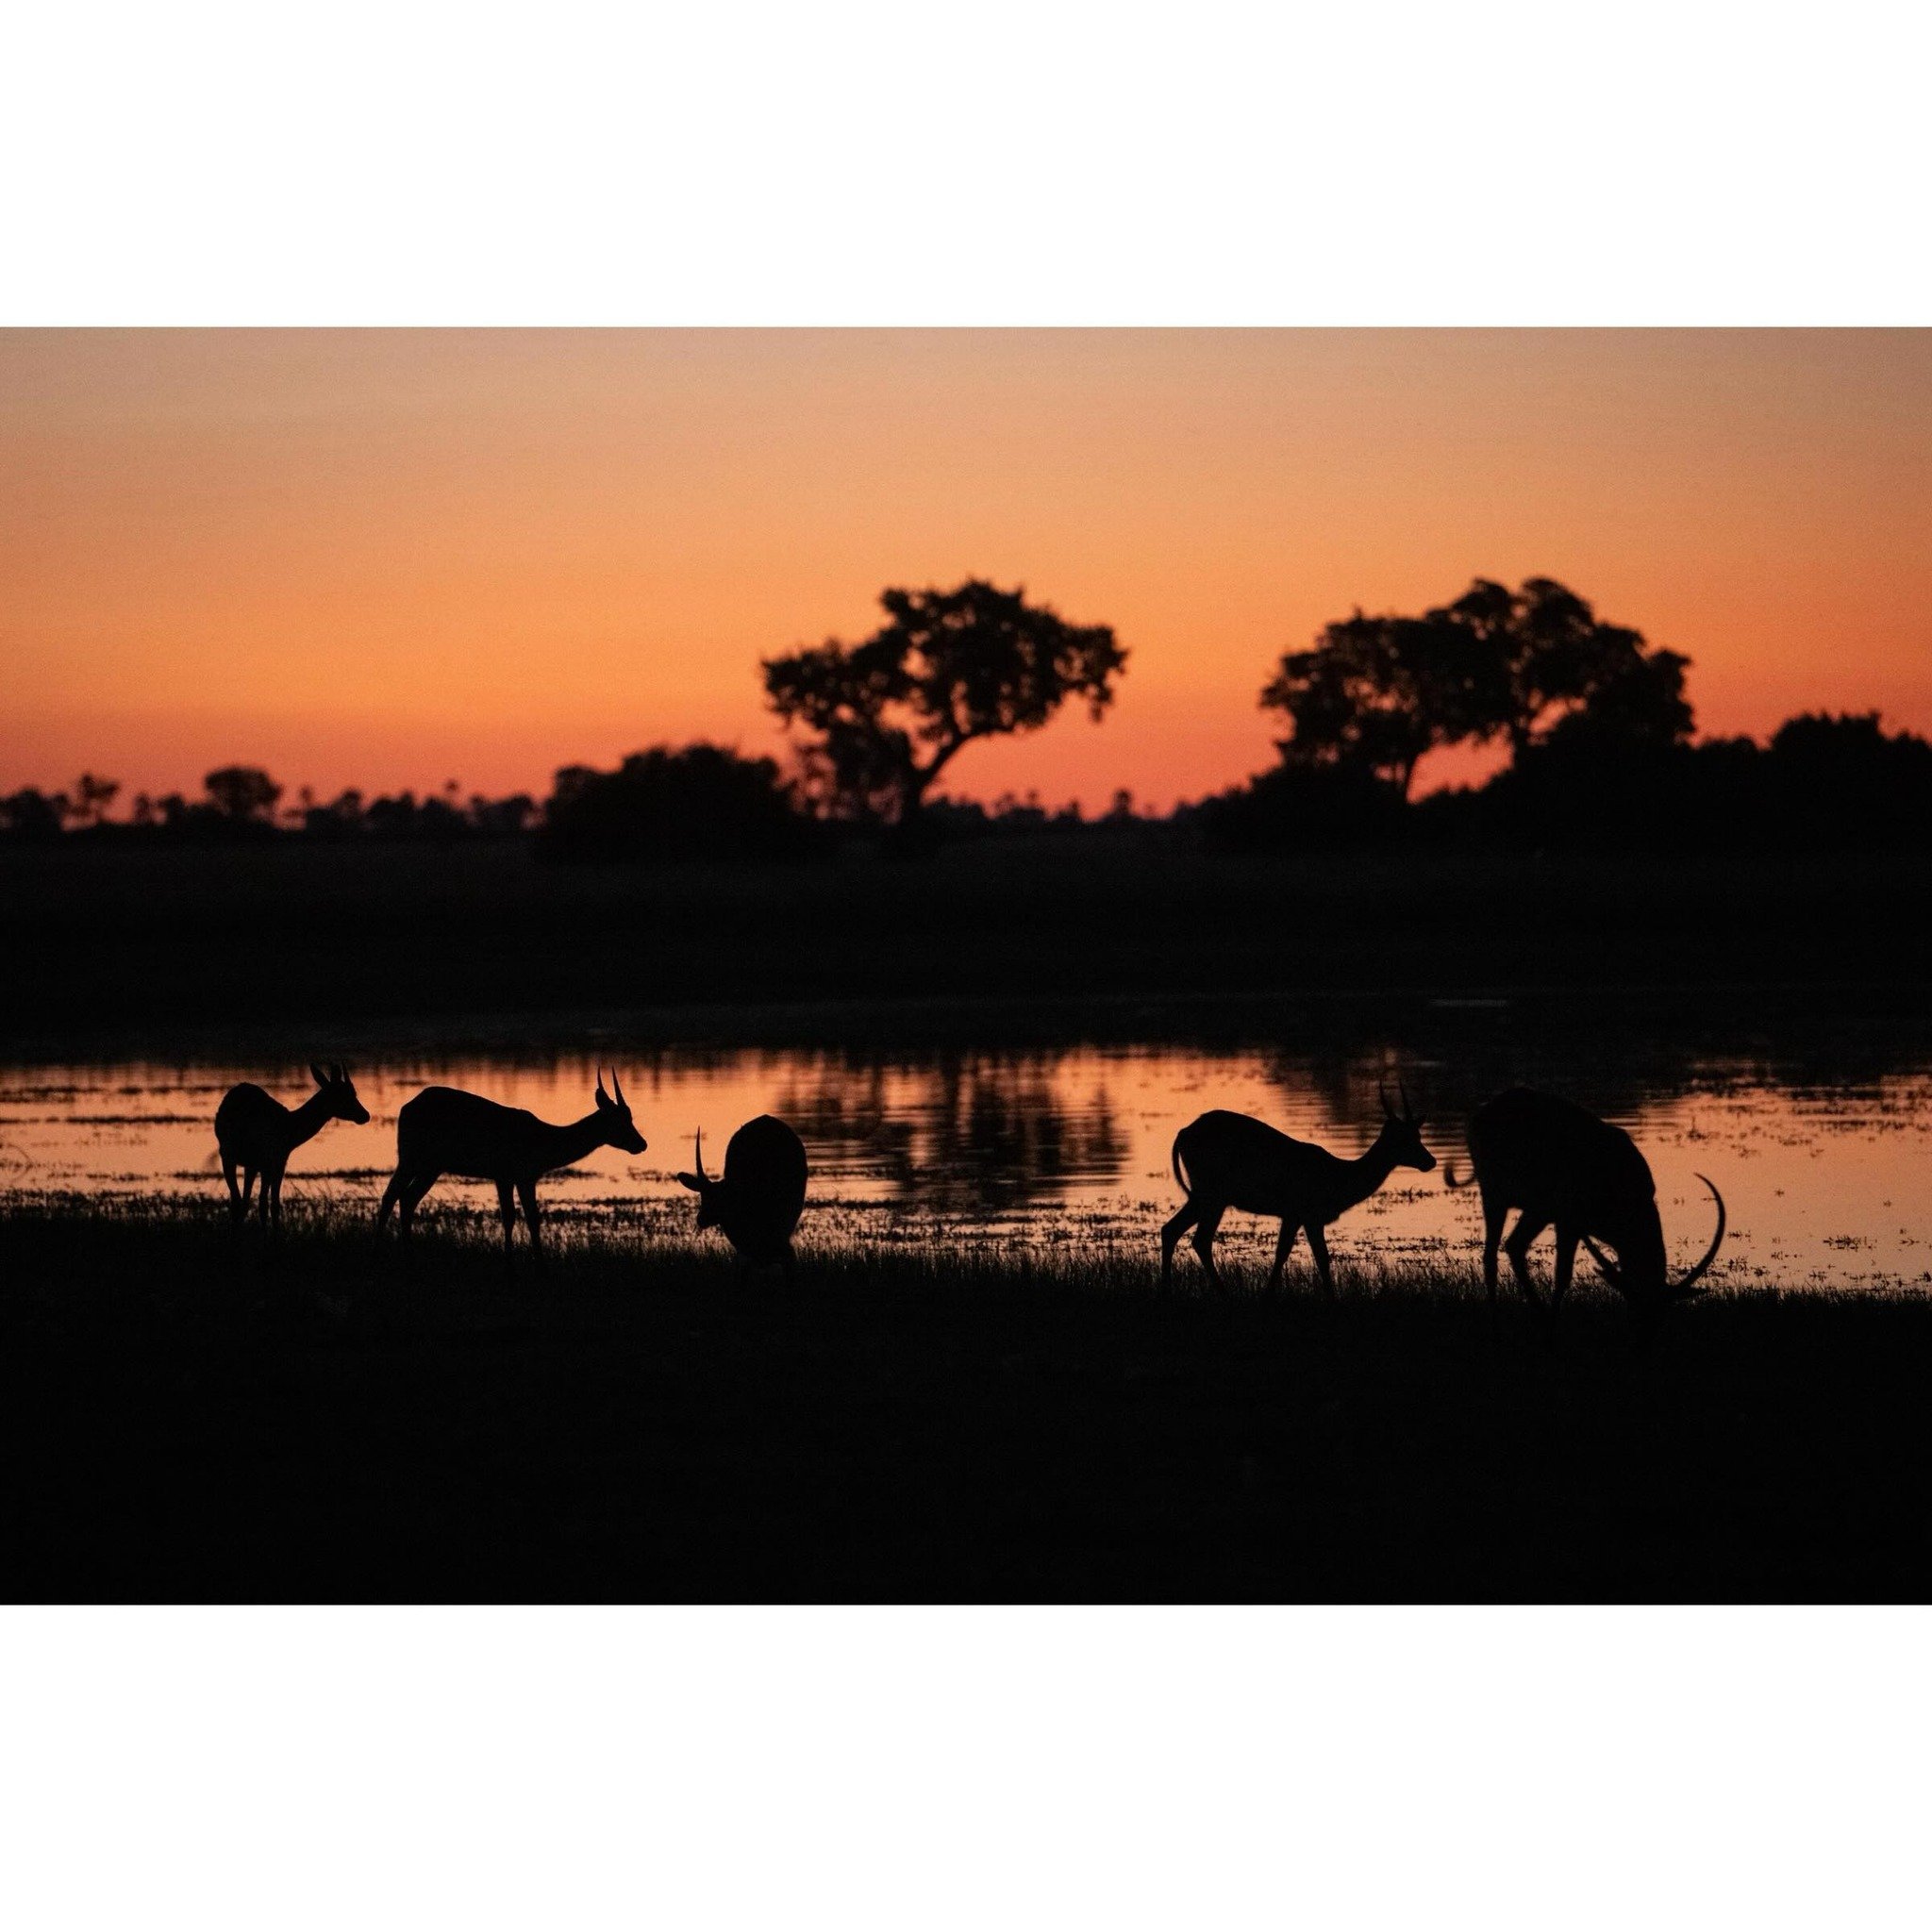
(1564, 1168)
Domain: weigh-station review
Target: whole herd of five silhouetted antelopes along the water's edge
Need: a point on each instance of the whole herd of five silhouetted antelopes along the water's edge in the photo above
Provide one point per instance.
(1556, 1164)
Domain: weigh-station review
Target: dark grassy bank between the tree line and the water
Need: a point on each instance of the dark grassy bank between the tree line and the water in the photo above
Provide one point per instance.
(115, 942)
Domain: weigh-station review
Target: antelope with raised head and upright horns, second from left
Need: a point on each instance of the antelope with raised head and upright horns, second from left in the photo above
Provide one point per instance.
(445, 1131)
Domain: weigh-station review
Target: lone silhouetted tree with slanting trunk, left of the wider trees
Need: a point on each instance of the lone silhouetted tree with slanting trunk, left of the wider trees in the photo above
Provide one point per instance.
(948, 668)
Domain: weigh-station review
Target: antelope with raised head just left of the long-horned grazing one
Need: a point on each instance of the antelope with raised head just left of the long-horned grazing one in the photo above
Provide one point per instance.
(1232, 1160)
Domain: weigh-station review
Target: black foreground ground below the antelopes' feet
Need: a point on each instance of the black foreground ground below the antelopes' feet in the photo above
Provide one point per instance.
(194, 1415)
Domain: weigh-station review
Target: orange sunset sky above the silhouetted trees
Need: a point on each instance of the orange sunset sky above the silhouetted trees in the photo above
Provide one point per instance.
(401, 557)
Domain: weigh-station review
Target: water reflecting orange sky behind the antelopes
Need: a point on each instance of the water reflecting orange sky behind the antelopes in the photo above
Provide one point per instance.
(1823, 1164)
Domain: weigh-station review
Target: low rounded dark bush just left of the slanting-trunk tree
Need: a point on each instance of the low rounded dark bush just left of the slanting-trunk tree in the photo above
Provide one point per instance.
(700, 803)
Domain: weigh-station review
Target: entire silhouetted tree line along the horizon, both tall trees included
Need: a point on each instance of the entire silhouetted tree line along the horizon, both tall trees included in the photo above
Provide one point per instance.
(1595, 724)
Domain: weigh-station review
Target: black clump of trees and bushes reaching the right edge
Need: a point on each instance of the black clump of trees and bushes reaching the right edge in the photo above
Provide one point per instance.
(1599, 745)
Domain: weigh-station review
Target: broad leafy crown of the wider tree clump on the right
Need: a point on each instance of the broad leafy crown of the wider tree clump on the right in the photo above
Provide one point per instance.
(1523, 668)
